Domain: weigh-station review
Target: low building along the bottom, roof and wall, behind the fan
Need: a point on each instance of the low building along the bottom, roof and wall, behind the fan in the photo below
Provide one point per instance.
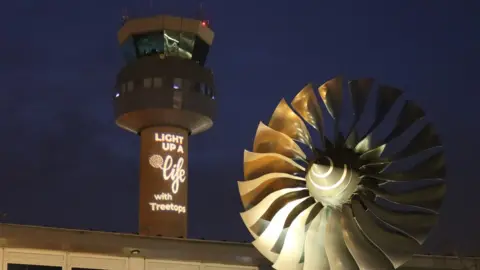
(41, 248)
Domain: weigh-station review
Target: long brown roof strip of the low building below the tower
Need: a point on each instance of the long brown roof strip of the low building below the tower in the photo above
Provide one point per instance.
(120, 244)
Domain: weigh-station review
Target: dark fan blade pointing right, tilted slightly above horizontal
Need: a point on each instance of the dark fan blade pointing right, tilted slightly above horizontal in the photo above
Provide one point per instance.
(431, 168)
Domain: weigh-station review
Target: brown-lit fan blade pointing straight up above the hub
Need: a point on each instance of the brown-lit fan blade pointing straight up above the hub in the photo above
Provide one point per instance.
(331, 93)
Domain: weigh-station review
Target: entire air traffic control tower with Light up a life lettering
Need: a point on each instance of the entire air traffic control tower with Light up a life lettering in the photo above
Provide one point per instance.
(164, 93)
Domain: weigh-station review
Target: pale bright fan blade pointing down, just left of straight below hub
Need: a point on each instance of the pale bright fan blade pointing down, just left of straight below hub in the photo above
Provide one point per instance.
(315, 255)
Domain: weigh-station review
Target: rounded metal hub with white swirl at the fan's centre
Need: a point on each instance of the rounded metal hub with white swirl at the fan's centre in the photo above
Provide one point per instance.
(331, 183)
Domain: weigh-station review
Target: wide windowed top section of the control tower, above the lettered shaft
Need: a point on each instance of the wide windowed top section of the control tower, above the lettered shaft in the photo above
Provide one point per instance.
(165, 81)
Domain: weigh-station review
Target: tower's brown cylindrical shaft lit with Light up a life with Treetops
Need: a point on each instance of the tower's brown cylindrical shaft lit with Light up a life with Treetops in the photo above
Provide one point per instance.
(163, 181)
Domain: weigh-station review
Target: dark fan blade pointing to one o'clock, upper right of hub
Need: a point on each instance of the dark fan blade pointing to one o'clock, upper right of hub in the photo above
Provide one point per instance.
(386, 97)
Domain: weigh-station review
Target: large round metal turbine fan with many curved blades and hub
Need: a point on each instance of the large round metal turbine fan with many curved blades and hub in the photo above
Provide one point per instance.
(335, 209)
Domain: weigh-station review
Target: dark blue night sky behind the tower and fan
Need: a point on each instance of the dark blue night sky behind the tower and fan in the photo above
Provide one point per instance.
(64, 163)
